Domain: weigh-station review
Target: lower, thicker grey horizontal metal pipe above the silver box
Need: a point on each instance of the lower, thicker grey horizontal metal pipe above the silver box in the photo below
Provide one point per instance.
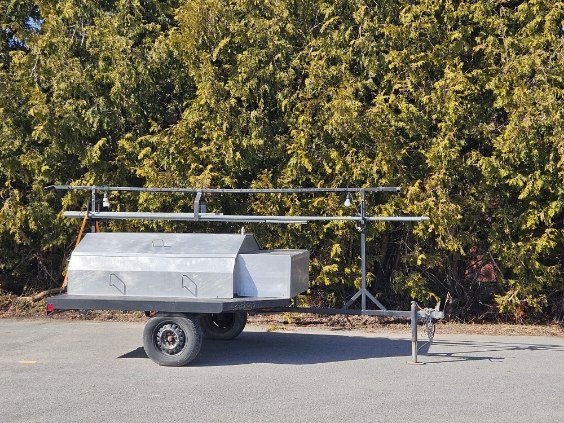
(211, 217)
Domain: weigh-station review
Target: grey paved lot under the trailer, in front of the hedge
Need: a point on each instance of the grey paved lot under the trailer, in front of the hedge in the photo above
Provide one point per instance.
(78, 371)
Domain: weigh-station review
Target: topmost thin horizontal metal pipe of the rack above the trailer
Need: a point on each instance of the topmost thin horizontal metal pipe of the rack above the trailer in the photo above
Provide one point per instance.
(221, 190)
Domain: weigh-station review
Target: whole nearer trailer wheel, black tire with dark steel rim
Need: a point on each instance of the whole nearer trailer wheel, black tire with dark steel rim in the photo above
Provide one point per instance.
(172, 340)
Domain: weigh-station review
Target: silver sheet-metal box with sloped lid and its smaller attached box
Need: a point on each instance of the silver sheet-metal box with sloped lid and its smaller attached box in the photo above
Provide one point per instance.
(183, 265)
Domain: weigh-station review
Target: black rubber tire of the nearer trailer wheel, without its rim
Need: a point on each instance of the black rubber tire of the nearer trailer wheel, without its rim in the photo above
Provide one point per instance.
(187, 324)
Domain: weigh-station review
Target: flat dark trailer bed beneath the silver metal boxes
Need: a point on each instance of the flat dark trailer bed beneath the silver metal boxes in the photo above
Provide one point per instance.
(163, 304)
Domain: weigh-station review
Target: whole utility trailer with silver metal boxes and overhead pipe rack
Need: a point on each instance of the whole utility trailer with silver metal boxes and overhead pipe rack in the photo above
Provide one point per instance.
(202, 285)
